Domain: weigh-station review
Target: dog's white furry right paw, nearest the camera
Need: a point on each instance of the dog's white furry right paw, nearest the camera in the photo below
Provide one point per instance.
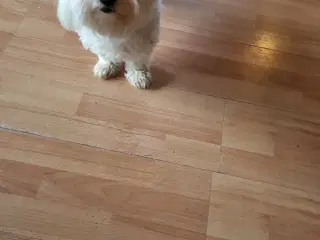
(139, 78)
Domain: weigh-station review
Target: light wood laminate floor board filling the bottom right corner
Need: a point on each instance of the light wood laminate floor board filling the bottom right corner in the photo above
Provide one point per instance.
(245, 209)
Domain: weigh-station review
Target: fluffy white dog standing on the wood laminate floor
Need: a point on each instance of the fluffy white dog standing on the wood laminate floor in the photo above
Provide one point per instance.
(116, 31)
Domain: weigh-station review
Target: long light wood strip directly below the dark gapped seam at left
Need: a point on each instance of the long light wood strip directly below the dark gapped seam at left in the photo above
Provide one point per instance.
(95, 162)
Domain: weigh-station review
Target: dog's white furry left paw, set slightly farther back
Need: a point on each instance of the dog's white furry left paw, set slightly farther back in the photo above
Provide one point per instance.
(106, 70)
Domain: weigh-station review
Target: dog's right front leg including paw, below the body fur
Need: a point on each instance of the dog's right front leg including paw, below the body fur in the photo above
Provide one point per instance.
(138, 74)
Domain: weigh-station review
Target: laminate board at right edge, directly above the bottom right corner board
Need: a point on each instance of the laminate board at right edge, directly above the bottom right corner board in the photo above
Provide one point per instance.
(271, 146)
